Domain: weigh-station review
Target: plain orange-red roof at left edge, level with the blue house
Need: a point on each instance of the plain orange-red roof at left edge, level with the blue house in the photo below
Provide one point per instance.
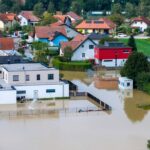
(6, 44)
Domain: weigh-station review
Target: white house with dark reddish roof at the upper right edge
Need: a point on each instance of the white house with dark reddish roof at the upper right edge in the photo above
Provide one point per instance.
(141, 23)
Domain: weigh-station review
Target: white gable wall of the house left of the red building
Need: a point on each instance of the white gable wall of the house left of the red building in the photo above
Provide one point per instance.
(89, 53)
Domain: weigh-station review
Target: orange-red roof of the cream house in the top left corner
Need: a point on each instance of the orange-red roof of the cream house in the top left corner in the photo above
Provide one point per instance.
(8, 17)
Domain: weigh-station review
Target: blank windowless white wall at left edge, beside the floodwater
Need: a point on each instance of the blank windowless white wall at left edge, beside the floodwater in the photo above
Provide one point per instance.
(8, 97)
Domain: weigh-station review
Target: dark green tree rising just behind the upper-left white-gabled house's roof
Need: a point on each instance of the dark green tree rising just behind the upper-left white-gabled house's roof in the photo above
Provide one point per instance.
(38, 9)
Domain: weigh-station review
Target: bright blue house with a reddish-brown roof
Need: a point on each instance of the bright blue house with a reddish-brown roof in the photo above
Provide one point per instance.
(51, 35)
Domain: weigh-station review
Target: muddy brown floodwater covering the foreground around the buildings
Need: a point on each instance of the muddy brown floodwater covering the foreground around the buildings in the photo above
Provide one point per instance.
(126, 128)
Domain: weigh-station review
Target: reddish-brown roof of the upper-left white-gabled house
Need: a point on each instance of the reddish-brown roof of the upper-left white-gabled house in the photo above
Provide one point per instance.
(29, 16)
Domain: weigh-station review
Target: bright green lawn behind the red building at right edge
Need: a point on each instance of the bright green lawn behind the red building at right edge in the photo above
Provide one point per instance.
(143, 45)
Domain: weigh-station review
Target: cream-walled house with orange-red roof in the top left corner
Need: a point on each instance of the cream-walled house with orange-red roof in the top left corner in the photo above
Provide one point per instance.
(7, 20)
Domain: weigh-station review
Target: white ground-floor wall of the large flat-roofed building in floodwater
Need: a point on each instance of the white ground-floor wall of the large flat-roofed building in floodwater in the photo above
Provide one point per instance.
(61, 90)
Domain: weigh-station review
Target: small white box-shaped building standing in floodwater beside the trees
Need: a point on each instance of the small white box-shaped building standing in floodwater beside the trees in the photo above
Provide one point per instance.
(125, 83)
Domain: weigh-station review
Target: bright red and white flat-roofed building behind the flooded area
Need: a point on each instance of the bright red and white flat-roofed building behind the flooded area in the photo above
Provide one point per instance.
(112, 54)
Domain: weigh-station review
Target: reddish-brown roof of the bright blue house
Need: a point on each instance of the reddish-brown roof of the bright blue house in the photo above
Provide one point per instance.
(48, 31)
